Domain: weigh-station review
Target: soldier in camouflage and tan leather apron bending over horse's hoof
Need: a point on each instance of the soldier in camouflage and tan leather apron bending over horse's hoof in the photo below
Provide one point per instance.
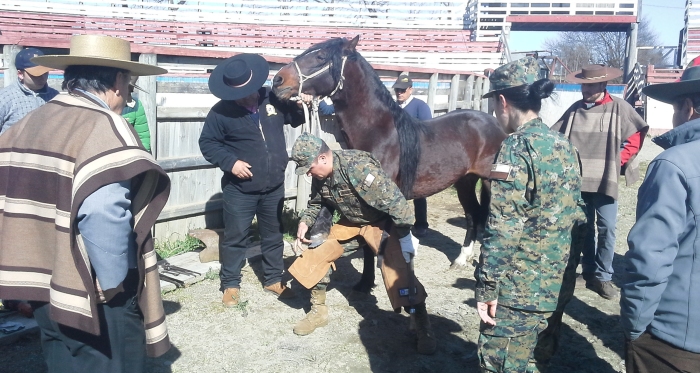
(353, 182)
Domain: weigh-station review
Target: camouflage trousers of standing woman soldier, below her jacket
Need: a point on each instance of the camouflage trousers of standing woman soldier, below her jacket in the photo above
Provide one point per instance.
(509, 346)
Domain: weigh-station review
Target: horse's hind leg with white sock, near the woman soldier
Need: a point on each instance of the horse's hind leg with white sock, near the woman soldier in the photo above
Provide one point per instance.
(466, 192)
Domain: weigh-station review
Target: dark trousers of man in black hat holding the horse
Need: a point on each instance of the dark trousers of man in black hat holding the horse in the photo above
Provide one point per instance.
(239, 210)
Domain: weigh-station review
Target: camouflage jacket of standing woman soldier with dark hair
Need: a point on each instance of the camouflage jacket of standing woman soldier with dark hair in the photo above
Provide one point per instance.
(535, 202)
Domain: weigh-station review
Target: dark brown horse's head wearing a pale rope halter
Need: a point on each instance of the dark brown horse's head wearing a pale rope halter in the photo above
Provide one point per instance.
(317, 72)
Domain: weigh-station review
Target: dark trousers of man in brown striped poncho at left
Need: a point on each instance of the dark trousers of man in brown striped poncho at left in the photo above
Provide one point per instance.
(120, 347)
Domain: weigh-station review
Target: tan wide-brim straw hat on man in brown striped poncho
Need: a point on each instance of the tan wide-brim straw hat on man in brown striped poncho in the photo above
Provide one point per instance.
(99, 50)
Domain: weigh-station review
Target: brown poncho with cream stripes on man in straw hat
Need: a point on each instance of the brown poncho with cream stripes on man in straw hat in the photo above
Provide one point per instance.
(50, 161)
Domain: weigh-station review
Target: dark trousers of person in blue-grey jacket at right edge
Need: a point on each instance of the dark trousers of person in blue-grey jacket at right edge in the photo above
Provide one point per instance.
(648, 354)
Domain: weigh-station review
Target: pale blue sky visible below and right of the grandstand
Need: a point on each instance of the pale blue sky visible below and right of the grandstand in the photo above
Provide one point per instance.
(666, 17)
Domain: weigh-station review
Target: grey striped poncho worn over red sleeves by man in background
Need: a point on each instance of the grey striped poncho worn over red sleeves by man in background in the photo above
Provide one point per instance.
(598, 134)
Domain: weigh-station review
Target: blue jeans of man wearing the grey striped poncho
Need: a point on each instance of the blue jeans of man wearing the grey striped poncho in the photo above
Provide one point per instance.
(601, 212)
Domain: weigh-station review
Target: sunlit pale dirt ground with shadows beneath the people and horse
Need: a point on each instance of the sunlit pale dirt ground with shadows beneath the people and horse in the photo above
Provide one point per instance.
(364, 334)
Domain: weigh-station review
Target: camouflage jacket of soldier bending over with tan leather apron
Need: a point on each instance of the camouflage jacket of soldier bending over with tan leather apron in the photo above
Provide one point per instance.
(360, 190)
